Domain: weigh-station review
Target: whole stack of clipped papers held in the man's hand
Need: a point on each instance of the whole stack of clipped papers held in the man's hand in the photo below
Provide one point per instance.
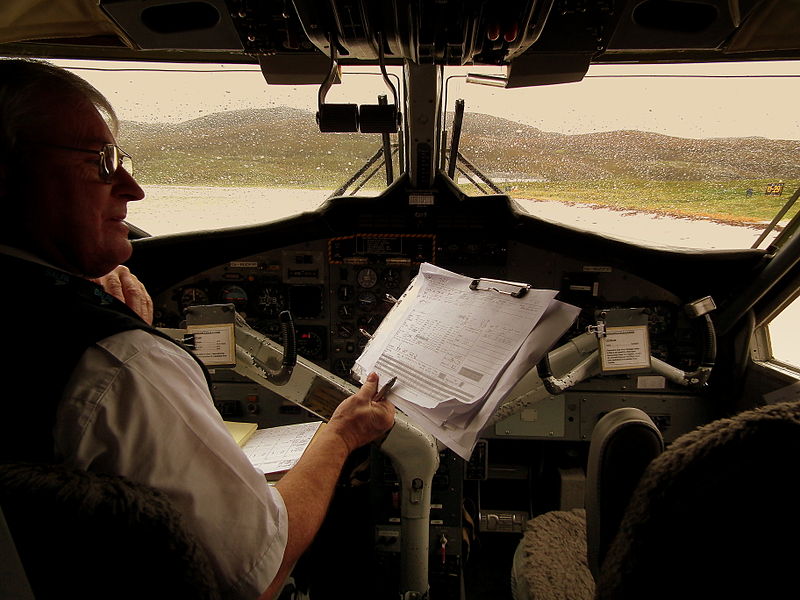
(457, 352)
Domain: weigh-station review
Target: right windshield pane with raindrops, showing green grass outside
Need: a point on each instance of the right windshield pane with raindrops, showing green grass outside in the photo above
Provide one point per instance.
(699, 156)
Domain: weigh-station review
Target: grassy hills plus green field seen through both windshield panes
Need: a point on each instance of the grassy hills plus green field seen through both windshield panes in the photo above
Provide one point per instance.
(282, 146)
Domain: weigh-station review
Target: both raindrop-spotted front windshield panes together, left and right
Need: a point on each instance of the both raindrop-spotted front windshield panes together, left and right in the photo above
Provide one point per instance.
(699, 156)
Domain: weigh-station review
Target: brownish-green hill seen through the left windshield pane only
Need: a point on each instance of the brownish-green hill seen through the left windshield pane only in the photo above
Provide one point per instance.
(266, 147)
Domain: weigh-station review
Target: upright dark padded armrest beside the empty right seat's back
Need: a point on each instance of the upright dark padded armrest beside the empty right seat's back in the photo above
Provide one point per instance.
(623, 444)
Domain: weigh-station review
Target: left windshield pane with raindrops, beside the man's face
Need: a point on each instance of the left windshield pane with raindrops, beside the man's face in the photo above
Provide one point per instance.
(215, 146)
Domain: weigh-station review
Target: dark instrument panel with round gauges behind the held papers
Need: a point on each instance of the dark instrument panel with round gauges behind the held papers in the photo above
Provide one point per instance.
(338, 290)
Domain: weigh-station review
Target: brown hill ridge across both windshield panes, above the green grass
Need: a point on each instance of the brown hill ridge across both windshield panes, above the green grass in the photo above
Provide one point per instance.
(283, 144)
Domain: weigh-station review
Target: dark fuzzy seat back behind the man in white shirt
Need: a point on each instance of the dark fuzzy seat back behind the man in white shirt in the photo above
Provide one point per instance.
(85, 535)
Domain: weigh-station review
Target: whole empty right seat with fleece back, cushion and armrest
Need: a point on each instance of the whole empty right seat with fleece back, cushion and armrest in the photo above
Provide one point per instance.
(713, 516)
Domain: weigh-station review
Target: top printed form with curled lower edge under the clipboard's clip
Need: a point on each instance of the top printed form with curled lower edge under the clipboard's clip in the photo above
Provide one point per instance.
(447, 344)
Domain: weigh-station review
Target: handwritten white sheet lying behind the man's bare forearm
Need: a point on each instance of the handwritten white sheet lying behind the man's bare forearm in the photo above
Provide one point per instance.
(277, 449)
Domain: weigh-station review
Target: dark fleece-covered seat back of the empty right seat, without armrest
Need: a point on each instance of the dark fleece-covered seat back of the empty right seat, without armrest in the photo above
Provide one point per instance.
(715, 515)
